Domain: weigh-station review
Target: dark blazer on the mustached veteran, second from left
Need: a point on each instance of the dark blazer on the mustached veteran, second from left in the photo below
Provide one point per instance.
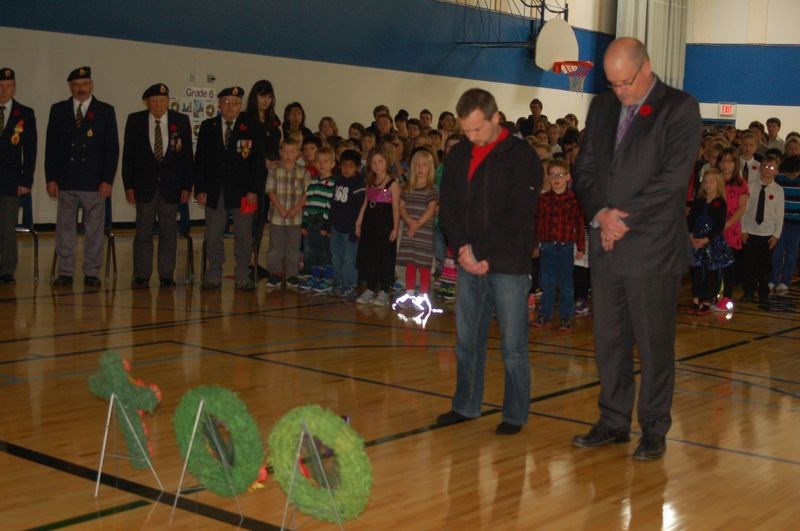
(79, 159)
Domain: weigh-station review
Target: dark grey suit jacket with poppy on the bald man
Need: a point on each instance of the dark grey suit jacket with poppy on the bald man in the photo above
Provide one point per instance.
(647, 176)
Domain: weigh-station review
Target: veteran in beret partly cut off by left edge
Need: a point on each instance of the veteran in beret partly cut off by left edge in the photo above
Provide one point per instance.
(17, 161)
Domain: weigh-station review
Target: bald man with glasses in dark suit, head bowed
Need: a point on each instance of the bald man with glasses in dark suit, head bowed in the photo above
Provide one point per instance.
(631, 176)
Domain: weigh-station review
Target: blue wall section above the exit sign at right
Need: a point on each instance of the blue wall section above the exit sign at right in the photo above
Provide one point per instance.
(744, 73)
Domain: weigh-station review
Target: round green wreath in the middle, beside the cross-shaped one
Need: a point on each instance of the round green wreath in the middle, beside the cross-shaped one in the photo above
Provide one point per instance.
(242, 446)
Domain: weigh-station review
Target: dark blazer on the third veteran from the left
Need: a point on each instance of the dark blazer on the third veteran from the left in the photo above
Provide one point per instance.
(141, 171)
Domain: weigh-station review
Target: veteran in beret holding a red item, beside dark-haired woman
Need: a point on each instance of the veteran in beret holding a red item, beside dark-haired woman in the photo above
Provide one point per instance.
(229, 173)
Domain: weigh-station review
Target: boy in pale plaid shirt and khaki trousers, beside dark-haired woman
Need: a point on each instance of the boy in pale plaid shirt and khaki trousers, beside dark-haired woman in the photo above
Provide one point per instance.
(286, 186)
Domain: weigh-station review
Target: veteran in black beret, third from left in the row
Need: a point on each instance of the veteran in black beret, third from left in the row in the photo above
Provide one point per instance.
(157, 167)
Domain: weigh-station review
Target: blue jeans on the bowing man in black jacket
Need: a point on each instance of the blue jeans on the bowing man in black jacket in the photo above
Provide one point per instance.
(476, 298)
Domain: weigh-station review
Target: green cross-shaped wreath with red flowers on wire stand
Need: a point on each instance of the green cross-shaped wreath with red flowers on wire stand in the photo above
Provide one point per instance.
(133, 396)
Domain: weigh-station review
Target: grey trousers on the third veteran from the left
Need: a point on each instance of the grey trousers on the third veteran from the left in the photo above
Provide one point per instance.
(167, 238)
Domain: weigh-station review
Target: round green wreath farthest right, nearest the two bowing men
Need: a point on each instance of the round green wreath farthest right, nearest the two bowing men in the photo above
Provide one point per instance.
(354, 468)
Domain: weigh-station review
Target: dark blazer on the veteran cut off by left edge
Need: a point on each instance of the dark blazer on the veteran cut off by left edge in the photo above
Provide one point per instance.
(17, 149)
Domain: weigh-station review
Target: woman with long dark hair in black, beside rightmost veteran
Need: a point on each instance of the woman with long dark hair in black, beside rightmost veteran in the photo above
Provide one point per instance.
(261, 109)
